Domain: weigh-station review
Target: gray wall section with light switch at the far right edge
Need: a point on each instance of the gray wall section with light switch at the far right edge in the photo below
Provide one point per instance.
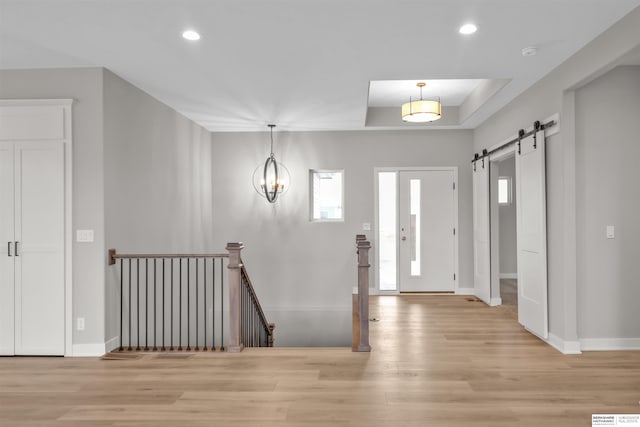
(607, 153)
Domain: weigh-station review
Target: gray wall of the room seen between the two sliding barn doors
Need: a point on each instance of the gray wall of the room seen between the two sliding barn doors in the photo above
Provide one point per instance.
(508, 242)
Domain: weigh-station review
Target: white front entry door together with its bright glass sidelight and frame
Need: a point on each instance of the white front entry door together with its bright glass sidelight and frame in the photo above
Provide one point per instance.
(416, 223)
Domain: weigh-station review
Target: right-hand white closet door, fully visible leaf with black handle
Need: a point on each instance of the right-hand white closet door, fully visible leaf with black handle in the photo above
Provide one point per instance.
(39, 261)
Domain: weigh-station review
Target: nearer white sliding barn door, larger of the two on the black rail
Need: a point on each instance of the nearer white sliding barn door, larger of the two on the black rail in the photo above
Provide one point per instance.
(532, 234)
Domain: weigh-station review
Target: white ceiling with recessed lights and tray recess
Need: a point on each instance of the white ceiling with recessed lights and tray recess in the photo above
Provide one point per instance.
(305, 65)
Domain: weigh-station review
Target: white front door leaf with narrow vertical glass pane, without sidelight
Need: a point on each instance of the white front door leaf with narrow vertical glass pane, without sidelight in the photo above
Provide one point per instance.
(426, 230)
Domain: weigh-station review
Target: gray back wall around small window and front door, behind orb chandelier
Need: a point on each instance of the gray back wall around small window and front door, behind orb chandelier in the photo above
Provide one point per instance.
(304, 272)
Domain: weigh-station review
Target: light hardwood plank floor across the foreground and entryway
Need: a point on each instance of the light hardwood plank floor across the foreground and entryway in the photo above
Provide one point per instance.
(436, 361)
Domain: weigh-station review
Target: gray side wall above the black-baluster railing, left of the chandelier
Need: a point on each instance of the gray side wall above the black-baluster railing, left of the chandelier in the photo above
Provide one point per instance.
(158, 192)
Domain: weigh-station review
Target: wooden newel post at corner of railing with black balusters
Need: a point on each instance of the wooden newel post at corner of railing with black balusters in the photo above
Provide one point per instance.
(235, 286)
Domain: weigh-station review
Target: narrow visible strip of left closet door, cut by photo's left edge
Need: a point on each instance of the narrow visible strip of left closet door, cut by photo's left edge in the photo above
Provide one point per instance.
(6, 250)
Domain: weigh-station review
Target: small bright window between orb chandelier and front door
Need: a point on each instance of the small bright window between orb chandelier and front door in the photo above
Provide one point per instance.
(326, 194)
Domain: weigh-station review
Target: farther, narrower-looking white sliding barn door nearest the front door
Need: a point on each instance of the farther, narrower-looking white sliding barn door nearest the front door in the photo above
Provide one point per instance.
(481, 231)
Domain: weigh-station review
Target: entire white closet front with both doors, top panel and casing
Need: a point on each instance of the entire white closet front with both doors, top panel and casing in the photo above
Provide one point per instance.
(35, 214)
